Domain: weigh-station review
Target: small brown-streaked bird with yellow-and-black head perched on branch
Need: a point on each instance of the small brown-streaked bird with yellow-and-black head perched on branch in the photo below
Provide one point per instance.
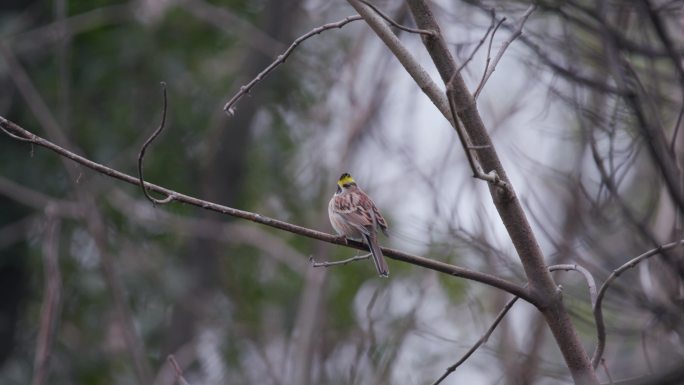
(354, 215)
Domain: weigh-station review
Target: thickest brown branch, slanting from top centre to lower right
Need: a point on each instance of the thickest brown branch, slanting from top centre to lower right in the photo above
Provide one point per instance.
(507, 205)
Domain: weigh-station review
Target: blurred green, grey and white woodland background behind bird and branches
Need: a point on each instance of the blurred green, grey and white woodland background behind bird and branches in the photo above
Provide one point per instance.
(99, 286)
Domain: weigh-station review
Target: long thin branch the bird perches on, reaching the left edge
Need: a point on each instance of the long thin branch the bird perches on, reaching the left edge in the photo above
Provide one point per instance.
(398, 255)
